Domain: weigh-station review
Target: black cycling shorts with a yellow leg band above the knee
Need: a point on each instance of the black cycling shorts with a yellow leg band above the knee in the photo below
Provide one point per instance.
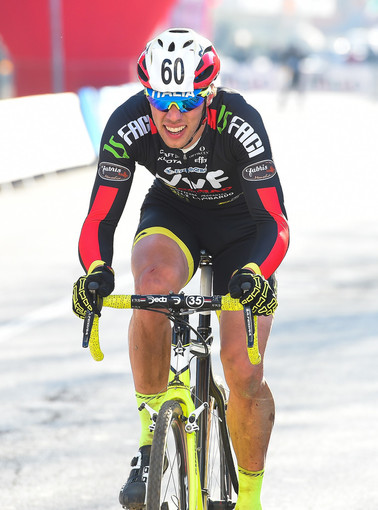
(226, 233)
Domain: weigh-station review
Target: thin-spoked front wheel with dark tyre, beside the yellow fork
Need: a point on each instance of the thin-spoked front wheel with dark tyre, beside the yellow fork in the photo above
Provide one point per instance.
(168, 480)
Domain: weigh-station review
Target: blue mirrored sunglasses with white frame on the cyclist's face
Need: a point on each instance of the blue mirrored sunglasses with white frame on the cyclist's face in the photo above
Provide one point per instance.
(164, 101)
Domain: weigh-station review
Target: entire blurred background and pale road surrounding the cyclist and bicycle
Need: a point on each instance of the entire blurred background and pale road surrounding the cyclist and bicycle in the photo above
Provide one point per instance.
(68, 426)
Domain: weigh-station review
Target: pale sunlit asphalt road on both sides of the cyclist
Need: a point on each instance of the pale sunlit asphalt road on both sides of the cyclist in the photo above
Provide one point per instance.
(69, 426)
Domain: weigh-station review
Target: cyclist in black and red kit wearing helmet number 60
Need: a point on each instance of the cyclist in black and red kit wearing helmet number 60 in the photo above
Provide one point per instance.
(216, 188)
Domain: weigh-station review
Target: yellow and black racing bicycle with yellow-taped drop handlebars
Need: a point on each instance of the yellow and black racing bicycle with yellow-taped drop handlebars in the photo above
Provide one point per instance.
(191, 462)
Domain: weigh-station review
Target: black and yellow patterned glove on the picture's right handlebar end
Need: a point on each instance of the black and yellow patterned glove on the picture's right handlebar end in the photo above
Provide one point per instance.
(260, 295)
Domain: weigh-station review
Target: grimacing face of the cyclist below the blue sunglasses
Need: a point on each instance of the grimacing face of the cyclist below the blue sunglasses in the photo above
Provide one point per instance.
(177, 128)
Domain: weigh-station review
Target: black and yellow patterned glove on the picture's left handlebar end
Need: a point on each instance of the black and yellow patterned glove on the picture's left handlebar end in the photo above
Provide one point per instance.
(82, 298)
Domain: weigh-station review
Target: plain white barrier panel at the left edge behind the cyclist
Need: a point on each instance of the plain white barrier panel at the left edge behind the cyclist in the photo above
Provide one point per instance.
(42, 134)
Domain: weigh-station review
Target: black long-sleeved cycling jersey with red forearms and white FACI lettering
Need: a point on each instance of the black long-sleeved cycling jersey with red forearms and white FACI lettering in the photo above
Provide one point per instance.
(230, 166)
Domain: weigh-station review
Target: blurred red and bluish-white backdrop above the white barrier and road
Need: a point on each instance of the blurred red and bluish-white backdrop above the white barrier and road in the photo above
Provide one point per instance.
(60, 45)
